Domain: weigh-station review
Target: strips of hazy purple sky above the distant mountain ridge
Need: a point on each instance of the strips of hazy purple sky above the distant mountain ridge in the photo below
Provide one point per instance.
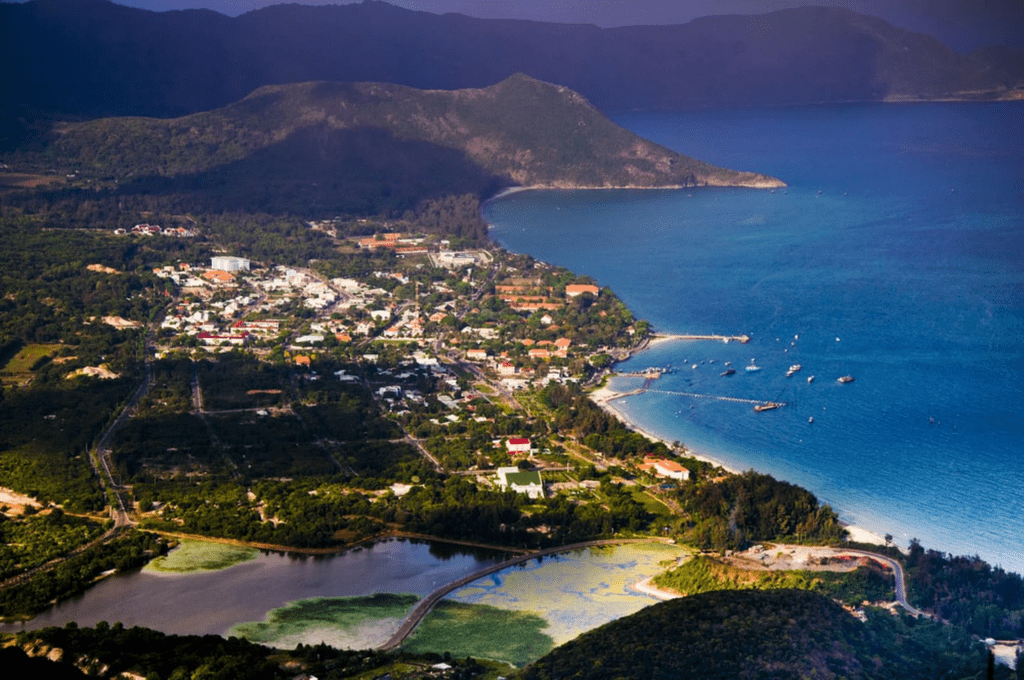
(964, 25)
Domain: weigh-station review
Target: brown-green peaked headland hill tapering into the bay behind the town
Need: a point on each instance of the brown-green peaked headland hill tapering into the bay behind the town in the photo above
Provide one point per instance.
(371, 148)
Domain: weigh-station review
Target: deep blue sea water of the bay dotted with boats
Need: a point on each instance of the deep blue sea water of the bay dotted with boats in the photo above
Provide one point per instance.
(895, 256)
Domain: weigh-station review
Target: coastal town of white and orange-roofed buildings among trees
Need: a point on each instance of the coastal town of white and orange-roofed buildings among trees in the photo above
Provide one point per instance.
(444, 341)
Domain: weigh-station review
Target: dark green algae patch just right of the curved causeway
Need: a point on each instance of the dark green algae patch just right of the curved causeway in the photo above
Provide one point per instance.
(482, 631)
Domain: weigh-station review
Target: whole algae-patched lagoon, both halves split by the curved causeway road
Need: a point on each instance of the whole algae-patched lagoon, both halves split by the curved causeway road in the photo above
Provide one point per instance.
(358, 600)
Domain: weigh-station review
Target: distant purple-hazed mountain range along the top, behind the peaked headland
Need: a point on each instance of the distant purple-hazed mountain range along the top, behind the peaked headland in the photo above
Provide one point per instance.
(93, 58)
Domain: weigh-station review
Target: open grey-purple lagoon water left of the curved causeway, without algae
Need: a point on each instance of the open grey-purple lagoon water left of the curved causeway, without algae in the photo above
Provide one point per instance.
(211, 603)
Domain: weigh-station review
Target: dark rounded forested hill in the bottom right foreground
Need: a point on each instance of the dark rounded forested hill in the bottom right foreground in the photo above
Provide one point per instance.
(763, 634)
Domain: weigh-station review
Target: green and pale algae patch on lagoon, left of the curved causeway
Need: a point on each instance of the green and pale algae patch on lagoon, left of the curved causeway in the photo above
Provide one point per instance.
(354, 623)
